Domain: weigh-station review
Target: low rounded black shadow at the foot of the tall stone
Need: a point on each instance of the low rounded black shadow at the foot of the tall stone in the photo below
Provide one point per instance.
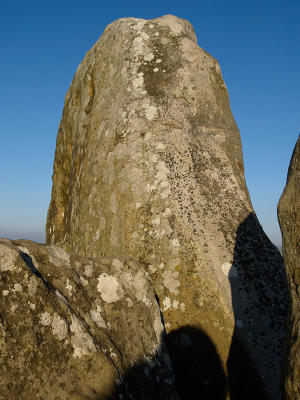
(196, 366)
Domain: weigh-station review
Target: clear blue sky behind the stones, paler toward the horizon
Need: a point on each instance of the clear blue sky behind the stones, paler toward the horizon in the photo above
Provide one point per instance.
(42, 42)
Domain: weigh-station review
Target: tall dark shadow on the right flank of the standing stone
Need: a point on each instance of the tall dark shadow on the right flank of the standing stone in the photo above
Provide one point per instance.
(259, 298)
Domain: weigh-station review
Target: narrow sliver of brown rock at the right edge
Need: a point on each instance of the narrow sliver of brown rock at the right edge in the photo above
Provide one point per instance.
(289, 219)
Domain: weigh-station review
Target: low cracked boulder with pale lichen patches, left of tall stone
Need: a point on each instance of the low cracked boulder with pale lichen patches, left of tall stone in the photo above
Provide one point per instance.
(78, 328)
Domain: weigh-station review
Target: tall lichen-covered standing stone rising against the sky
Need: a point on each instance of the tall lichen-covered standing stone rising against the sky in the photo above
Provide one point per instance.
(149, 163)
